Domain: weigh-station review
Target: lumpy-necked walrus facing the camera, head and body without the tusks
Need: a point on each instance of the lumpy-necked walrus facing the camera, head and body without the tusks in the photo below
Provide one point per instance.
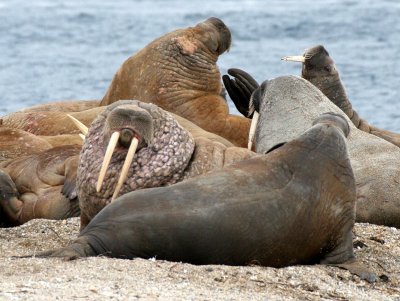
(167, 153)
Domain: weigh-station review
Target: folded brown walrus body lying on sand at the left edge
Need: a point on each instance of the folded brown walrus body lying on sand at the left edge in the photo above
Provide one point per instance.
(30, 186)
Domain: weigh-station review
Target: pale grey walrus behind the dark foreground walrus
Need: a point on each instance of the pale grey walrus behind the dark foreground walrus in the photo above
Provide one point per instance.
(287, 103)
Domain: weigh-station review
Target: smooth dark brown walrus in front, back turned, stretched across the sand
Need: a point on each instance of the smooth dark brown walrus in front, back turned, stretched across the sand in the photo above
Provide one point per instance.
(294, 205)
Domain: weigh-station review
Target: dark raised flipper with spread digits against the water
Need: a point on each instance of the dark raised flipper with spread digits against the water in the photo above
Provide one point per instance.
(240, 89)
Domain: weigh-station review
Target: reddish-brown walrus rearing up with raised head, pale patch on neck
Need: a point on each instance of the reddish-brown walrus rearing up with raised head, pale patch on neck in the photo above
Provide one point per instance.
(178, 72)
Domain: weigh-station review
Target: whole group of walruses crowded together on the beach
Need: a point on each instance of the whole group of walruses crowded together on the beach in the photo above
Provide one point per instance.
(159, 168)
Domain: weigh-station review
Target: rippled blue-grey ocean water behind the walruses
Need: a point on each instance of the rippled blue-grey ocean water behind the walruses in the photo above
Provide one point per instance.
(55, 50)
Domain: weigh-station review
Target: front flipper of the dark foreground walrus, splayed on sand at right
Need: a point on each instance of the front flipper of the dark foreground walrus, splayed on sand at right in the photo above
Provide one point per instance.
(343, 257)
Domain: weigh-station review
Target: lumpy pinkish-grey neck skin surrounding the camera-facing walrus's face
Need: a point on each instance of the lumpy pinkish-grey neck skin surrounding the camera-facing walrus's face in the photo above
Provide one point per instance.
(159, 163)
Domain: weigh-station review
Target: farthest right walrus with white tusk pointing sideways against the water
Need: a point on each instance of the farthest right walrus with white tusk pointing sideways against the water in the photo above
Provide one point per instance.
(319, 69)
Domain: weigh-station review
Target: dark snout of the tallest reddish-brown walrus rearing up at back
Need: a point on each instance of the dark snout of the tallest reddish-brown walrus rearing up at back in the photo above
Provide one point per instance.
(220, 40)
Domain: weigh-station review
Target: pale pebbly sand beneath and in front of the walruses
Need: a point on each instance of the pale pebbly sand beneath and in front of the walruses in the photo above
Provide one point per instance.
(117, 279)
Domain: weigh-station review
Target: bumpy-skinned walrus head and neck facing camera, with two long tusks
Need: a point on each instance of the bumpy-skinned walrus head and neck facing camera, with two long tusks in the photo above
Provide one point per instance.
(131, 145)
